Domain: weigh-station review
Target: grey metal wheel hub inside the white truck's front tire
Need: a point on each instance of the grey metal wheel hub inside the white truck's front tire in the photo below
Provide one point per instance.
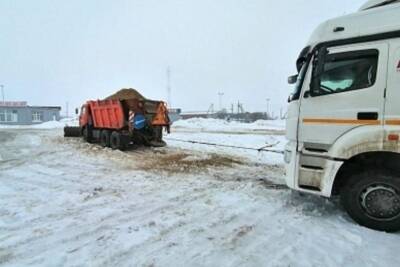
(381, 201)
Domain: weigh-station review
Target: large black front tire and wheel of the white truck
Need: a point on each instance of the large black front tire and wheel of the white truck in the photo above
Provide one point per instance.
(372, 199)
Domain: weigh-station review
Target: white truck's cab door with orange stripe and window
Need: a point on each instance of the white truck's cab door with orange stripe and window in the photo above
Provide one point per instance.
(350, 93)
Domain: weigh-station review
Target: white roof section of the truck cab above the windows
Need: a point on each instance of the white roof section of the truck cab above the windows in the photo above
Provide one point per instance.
(362, 23)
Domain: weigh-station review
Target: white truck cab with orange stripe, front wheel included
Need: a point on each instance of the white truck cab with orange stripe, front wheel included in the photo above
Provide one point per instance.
(343, 124)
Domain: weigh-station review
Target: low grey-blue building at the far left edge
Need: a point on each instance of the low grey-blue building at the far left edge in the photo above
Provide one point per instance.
(19, 113)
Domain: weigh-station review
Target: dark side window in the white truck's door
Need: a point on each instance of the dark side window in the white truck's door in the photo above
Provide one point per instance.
(347, 71)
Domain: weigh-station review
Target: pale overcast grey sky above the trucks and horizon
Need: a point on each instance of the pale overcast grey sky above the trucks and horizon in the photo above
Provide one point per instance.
(58, 51)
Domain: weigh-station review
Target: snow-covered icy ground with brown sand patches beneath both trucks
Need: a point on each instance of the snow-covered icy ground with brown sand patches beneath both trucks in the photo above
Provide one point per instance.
(68, 203)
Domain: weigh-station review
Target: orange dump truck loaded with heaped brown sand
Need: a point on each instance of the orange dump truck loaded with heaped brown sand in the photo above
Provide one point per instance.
(121, 119)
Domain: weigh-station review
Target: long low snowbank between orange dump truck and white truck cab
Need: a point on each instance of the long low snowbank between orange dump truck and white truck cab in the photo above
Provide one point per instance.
(223, 125)
